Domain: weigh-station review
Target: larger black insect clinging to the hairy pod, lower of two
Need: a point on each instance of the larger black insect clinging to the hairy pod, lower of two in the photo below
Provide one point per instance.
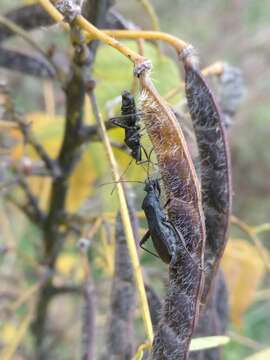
(163, 233)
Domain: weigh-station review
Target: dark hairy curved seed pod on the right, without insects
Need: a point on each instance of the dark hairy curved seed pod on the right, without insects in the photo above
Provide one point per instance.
(215, 168)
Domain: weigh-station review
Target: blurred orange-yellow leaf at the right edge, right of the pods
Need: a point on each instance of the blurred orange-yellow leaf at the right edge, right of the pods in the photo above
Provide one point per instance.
(244, 269)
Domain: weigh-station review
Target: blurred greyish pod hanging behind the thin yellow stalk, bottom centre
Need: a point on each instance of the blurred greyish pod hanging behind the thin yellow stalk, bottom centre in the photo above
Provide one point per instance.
(119, 344)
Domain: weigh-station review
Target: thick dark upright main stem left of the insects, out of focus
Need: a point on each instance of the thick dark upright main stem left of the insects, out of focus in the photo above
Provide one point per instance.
(70, 152)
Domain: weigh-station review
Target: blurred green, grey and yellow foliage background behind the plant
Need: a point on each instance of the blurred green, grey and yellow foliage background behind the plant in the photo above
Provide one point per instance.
(235, 31)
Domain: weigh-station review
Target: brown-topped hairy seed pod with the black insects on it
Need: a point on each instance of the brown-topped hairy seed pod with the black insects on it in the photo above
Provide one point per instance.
(182, 188)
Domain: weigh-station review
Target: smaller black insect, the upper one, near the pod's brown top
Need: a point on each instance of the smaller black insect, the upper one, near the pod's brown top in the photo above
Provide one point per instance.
(130, 122)
